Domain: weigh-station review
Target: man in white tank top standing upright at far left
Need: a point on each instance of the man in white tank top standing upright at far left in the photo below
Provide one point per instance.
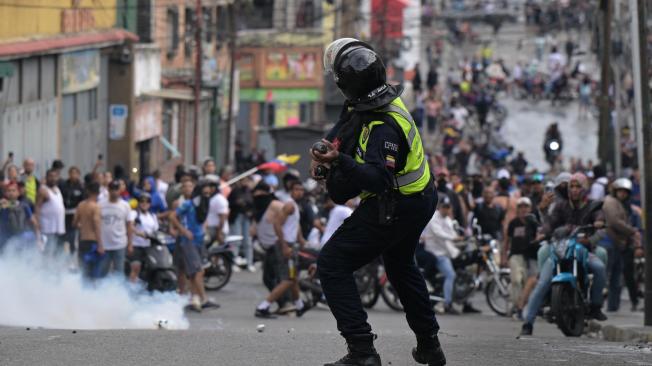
(51, 213)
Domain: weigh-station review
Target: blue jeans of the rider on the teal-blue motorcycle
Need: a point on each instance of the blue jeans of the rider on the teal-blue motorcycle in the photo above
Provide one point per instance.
(545, 278)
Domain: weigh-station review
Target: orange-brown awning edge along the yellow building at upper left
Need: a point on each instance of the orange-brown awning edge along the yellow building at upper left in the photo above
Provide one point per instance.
(63, 43)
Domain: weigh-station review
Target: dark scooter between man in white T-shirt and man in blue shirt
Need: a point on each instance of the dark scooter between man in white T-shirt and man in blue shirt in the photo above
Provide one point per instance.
(157, 269)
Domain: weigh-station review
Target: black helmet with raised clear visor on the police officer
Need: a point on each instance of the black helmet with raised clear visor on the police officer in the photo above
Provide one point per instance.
(358, 71)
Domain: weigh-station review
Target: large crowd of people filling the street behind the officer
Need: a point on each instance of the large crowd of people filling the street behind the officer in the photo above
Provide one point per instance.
(103, 220)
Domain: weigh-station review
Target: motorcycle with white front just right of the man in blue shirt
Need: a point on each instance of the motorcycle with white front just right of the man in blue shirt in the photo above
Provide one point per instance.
(219, 268)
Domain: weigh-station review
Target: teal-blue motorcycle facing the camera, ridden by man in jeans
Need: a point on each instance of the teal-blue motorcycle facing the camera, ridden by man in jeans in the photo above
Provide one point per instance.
(569, 305)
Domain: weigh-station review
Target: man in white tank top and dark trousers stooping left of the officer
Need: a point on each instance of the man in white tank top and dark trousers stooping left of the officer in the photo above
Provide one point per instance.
(285, 221)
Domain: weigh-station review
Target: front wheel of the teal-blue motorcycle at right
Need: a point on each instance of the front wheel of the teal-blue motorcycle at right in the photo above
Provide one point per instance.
(567, 307)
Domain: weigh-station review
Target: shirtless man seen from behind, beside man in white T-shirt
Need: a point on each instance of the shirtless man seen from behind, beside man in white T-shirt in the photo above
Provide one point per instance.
(87, 218)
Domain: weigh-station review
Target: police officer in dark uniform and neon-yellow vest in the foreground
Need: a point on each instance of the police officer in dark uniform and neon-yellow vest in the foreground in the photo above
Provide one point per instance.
(375, 152)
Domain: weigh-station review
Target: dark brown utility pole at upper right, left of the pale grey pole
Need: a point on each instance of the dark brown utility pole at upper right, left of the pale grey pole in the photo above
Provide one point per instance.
(605, 82)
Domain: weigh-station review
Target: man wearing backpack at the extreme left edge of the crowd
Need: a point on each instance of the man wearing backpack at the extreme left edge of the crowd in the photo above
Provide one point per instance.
(15, 217)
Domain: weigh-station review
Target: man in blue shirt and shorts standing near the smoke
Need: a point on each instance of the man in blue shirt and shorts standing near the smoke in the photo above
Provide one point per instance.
(188, 219)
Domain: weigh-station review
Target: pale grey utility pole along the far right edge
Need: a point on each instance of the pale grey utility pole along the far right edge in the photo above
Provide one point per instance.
(644, 129)
